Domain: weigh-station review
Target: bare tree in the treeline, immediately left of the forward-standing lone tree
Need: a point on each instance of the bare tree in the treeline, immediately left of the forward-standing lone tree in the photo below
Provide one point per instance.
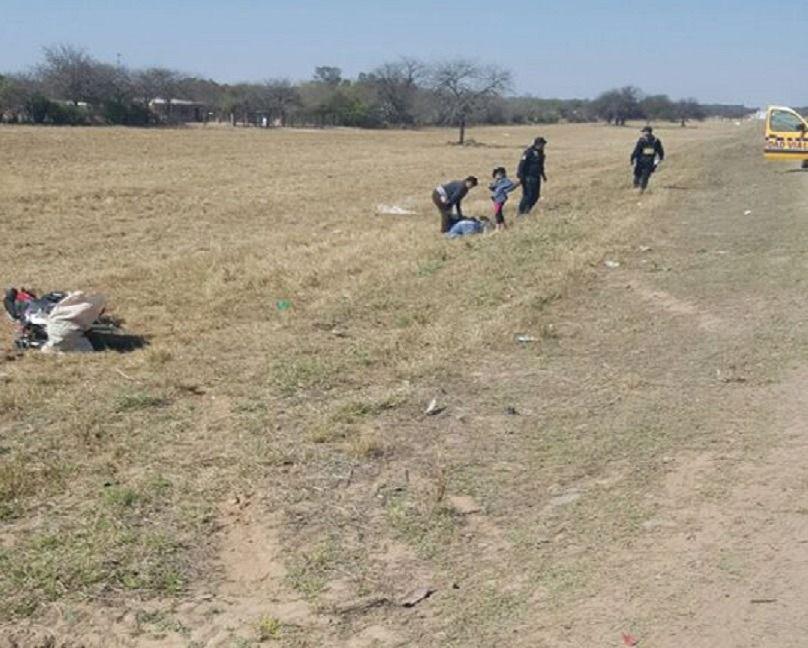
(397, 87)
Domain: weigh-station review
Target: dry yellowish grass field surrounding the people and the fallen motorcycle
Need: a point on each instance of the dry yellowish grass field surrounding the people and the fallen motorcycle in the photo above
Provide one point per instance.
(264, 473)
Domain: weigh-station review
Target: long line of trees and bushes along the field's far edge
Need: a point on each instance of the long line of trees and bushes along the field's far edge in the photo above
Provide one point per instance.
(70, 86)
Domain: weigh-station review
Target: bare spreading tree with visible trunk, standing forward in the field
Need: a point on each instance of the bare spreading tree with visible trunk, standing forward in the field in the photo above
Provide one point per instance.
(465, 86)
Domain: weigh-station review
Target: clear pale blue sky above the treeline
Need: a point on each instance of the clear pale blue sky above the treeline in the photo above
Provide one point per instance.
(753, 52)
